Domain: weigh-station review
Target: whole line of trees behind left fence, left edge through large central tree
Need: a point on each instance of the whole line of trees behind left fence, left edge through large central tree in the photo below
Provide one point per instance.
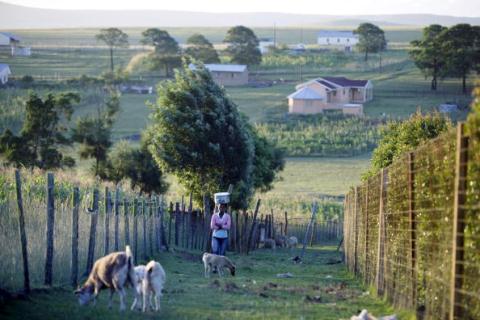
(197, 134)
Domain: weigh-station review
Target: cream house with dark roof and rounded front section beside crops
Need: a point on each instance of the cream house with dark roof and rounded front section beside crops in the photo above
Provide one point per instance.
(330, 93)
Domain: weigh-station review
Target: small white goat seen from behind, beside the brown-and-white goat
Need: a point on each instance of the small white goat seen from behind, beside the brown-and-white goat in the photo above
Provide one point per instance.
(153, 278)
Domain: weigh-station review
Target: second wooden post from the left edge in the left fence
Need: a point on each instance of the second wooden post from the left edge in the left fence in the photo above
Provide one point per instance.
(50, 229)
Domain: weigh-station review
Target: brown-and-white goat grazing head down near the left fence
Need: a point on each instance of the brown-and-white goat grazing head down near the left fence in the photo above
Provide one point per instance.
(114, 271)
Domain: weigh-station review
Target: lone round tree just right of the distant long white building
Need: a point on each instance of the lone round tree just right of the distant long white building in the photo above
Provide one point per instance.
(371, 39)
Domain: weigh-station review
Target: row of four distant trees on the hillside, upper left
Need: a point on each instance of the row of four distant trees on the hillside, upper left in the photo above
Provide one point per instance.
(242, 47)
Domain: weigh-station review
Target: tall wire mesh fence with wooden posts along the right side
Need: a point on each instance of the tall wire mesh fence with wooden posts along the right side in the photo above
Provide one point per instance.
(412, 230)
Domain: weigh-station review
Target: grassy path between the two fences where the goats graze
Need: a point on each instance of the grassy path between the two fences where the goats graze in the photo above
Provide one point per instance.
(316, 291)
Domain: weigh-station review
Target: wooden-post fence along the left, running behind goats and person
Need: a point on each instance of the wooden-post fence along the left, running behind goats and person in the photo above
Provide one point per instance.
(54, 228)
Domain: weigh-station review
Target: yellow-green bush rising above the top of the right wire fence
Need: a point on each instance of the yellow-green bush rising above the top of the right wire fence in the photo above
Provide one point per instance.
(399, 137)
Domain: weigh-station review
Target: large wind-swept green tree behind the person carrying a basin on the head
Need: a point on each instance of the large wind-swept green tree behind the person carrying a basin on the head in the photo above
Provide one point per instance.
(198, 135)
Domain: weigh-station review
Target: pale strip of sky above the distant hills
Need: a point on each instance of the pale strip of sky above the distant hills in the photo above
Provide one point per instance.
(467, 8)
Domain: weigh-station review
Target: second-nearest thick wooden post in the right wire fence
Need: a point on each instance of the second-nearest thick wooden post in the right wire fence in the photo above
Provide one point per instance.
(412, 225)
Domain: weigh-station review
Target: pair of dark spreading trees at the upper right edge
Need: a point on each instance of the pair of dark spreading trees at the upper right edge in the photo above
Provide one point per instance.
(448, 52)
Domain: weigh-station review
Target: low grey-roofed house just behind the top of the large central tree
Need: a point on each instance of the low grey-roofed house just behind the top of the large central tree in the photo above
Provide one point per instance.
(227, 74)
